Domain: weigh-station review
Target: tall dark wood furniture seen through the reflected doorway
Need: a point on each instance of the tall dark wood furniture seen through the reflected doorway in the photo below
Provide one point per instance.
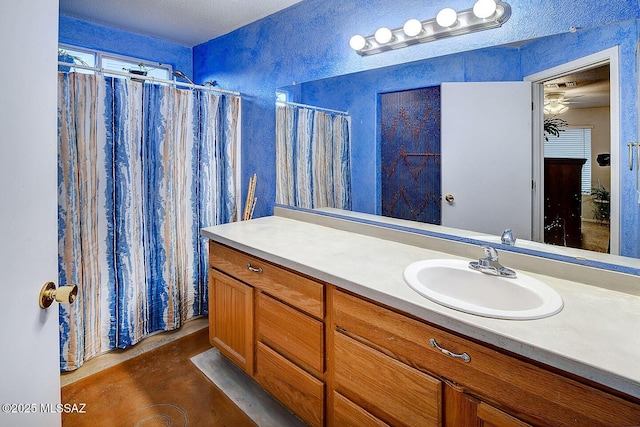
(563, 201)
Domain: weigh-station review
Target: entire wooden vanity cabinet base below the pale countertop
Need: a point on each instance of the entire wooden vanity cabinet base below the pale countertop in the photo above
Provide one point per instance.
(338, 359)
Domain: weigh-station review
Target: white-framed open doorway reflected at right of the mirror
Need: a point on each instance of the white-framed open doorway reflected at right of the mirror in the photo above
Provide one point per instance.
(581, 98)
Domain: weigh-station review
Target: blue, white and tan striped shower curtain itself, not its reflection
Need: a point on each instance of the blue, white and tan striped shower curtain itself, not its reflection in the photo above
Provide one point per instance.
(141, 168)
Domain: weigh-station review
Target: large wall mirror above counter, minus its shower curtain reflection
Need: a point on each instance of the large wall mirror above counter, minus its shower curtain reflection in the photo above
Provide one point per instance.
(585, 80)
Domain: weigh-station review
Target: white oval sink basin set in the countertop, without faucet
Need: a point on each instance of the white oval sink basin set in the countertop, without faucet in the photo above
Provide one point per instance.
(453, 284)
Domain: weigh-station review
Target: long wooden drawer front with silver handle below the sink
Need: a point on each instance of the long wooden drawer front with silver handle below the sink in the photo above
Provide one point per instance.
(527, 391)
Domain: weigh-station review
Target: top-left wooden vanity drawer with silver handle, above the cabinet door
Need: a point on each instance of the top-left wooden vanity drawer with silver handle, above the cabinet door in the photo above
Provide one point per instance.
(300, 292)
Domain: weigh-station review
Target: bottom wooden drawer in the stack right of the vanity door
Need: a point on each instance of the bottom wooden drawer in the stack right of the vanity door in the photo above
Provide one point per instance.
(296, 389)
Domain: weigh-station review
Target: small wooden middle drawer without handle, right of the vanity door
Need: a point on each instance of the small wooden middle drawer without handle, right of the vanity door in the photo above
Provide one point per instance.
(291, 333)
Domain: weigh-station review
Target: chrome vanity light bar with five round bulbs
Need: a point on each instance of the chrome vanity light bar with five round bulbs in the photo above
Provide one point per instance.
(484, 15)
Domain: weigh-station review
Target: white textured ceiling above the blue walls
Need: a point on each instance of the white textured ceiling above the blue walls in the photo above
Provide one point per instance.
(188, 22)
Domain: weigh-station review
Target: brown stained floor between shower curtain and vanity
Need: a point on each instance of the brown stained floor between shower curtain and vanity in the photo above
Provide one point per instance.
(161, 387)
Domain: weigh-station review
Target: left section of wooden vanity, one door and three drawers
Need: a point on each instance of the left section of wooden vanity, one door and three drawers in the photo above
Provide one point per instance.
(283, 314)
